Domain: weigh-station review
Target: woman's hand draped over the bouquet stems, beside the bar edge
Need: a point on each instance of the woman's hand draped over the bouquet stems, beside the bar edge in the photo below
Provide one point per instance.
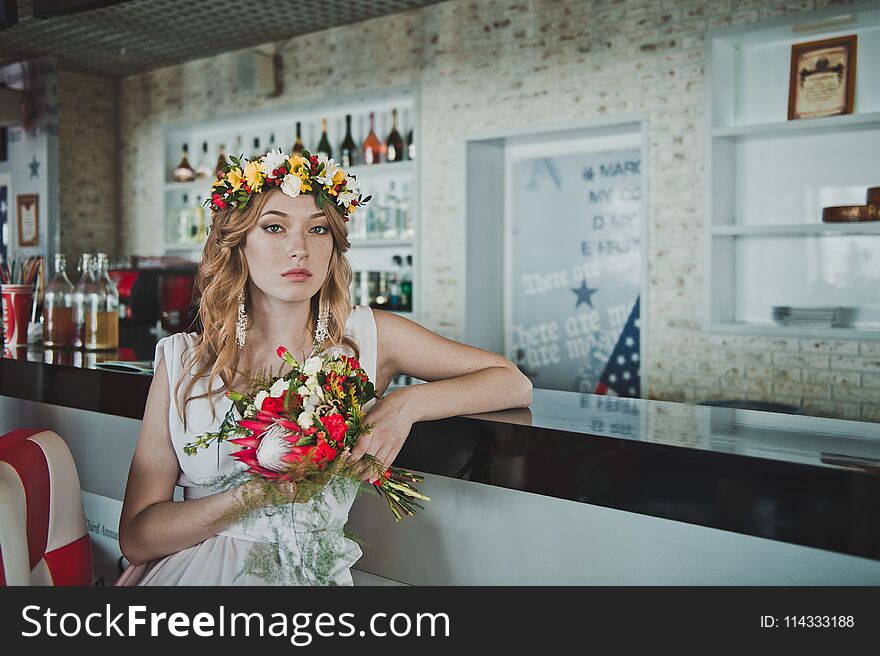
(391, 426)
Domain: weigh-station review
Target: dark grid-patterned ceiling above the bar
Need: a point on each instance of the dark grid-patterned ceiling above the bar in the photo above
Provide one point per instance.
(135, 36)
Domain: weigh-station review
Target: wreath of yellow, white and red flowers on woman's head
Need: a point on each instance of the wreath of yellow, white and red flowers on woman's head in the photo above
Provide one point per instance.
(239, 179)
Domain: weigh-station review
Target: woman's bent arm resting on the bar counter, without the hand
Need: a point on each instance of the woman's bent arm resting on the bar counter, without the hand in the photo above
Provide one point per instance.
(461, 379)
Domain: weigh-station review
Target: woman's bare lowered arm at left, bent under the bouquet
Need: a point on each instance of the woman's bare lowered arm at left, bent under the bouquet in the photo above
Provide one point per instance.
(152, 524)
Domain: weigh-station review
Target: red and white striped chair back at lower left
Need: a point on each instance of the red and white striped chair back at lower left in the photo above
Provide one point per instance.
(43, 535)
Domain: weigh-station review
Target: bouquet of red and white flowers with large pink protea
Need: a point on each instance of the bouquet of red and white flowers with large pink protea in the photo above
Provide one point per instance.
(296, 428)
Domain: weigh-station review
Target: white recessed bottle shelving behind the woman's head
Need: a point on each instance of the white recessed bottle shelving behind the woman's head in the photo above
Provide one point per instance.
(394, 186)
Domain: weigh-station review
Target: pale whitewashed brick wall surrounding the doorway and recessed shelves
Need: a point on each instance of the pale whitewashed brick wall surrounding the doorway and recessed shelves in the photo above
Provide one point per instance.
(516, 63)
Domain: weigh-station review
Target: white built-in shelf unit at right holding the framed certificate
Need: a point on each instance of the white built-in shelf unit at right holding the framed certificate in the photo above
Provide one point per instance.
(768, 179)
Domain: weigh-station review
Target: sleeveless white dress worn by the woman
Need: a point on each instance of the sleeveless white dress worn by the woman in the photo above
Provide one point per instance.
(219, 560)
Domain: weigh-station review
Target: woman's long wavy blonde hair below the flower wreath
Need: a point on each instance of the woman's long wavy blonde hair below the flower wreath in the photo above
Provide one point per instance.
(223, 271)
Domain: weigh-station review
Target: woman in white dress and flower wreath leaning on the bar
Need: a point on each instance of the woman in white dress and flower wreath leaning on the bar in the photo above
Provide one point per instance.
(275, 253)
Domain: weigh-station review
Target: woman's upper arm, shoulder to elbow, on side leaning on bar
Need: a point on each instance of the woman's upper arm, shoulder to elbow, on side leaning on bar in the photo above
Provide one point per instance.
(407, 347)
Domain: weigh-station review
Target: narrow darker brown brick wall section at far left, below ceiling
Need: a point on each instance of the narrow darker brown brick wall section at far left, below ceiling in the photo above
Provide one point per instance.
(88, 151)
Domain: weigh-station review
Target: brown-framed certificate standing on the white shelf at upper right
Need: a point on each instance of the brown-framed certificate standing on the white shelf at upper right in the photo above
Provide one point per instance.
(823, 78)
